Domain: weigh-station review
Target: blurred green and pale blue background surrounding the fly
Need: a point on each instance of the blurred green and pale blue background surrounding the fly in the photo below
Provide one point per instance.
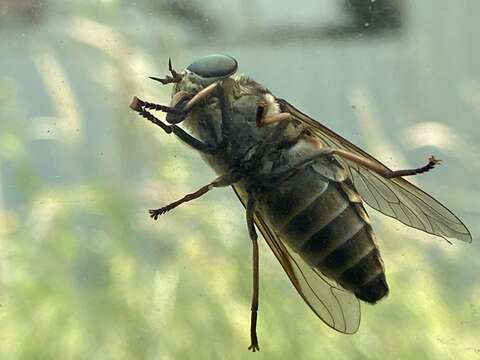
(86, 274)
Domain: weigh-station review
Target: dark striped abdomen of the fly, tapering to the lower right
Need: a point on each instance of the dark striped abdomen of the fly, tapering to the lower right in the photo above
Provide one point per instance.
(325, 222)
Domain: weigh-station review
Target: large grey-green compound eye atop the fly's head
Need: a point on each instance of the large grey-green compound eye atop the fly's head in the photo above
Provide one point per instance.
(214, 66)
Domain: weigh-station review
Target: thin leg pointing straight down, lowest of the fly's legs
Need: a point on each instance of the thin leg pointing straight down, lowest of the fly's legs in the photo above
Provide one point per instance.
(253, 236)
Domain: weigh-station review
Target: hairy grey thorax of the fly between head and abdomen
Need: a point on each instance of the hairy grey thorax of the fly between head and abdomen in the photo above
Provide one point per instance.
(241, 137)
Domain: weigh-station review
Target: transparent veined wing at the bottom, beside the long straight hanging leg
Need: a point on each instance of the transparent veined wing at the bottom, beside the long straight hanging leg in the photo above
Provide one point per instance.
(336, 307)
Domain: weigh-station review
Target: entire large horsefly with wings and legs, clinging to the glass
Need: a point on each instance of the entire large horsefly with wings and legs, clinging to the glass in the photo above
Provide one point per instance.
(302, 185)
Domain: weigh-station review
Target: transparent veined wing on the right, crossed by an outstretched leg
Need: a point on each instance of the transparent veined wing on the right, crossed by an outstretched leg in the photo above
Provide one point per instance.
(394, 197)
